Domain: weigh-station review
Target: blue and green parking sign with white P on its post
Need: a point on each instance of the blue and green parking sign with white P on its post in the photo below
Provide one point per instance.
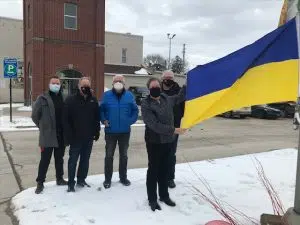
(10, 66)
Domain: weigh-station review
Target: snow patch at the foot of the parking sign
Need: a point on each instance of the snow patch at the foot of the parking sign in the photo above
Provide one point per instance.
(18, 122)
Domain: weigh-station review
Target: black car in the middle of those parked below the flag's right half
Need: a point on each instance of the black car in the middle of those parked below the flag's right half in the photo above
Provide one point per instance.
(266, 112)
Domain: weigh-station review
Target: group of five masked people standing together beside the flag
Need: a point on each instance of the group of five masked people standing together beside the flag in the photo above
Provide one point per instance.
(75, 122)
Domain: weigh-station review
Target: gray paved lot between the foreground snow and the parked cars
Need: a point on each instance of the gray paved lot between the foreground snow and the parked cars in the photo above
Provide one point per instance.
(215, 138)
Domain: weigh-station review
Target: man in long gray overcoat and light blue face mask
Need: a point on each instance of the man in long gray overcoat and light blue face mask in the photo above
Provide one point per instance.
(47, 115)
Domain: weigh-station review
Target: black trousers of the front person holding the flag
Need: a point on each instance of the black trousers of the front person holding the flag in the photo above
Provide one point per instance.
(158, 156)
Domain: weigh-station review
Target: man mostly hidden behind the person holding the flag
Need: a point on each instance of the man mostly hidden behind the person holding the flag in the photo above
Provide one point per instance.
(171, 88)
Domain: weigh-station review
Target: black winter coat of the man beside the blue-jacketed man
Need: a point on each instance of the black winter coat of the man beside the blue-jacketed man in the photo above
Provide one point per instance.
(81, 118)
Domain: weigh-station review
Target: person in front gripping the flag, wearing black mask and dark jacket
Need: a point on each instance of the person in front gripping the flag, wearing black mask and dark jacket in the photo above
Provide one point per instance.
(160, 133)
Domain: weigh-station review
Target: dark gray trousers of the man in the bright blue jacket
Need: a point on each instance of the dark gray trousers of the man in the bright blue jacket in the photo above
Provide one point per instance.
(111, 143)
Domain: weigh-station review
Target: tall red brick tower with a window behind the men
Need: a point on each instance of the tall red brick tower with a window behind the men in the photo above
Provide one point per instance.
(64, 37)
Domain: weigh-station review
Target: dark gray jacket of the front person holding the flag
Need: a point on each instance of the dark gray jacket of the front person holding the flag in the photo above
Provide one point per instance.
(158, 117)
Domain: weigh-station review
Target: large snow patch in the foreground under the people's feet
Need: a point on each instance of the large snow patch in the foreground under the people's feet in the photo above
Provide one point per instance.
(233, 180)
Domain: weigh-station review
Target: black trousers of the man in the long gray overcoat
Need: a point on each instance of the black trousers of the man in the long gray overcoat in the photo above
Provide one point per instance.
(46, 154)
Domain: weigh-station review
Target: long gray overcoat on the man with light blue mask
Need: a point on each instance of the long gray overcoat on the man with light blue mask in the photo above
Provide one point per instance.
(43, 115)
